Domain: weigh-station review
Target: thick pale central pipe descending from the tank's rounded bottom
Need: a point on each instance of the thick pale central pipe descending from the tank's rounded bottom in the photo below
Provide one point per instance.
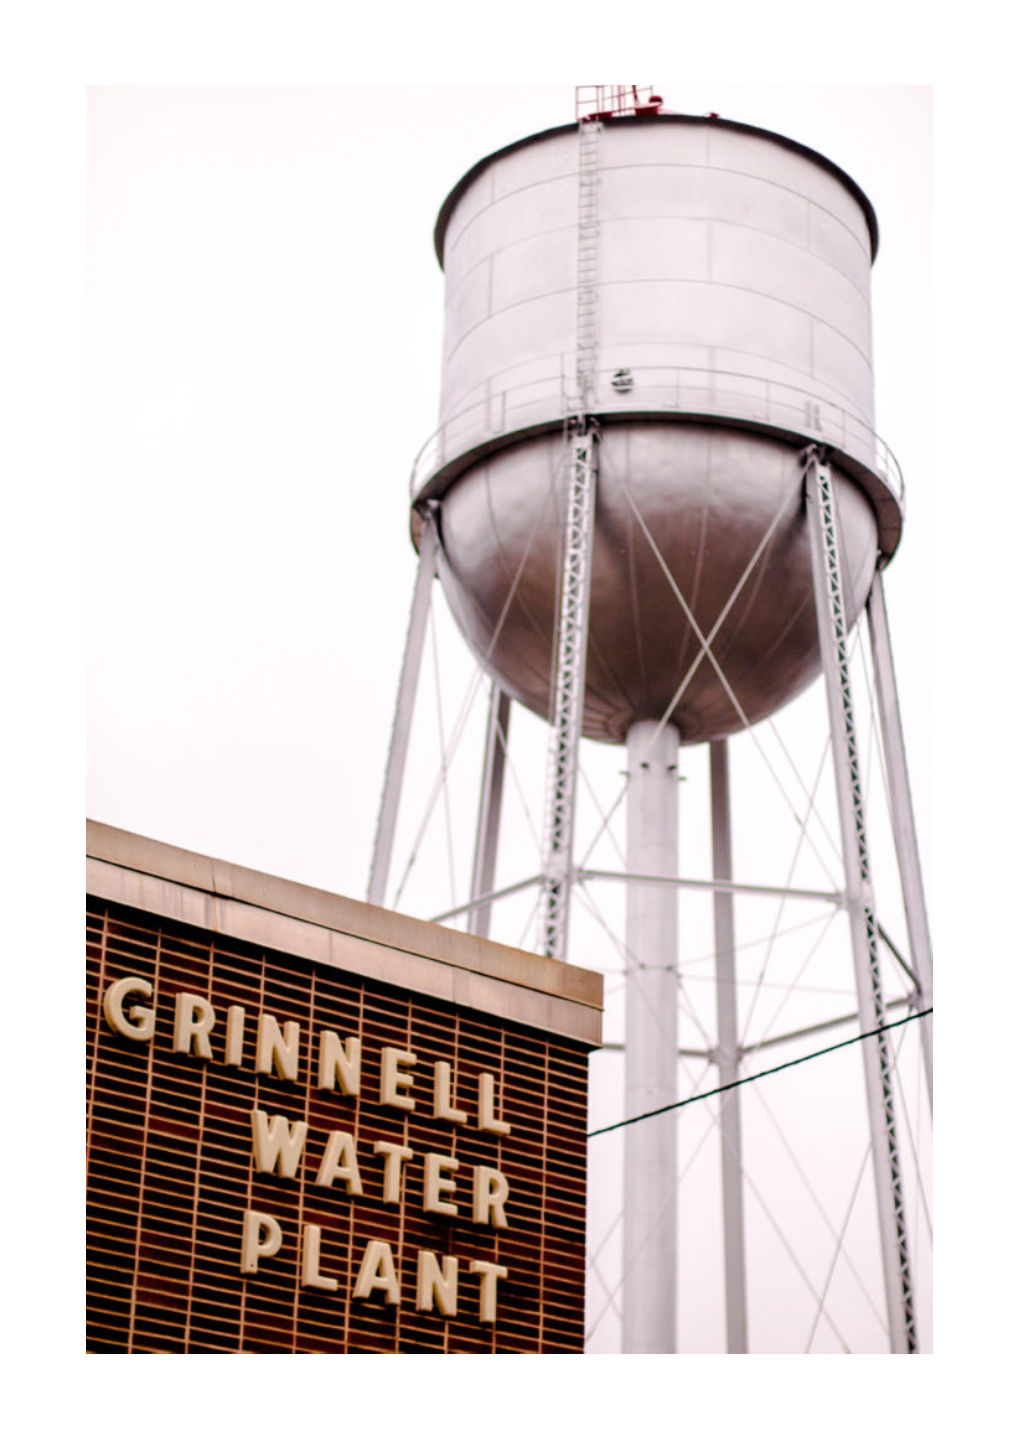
(650, 1149)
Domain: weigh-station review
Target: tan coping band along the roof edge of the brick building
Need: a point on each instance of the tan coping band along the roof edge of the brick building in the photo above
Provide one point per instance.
(354, 937)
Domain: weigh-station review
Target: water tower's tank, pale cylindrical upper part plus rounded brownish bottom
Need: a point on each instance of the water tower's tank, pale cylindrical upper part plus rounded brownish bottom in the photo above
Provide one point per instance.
(734, 328)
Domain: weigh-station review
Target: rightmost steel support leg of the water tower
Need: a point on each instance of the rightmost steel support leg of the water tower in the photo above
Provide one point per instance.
(902, 814)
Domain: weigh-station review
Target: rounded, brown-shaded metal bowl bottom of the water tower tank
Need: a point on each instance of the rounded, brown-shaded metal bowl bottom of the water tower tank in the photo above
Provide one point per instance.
(690, 518)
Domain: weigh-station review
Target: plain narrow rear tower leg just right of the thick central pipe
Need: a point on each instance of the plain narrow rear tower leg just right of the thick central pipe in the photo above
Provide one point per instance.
(728, 1056)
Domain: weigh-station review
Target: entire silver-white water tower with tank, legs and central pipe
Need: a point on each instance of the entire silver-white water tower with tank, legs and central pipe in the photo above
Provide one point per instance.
(657, 505)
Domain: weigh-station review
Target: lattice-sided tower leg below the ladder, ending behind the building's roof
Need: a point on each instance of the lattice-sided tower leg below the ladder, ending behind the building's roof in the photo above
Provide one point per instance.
(568, 697)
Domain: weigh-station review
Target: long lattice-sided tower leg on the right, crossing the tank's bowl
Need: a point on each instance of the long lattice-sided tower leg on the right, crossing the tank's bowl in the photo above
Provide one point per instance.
(830, 611)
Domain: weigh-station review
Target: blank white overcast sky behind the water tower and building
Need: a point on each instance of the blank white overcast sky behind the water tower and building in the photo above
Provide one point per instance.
(265, 351)
